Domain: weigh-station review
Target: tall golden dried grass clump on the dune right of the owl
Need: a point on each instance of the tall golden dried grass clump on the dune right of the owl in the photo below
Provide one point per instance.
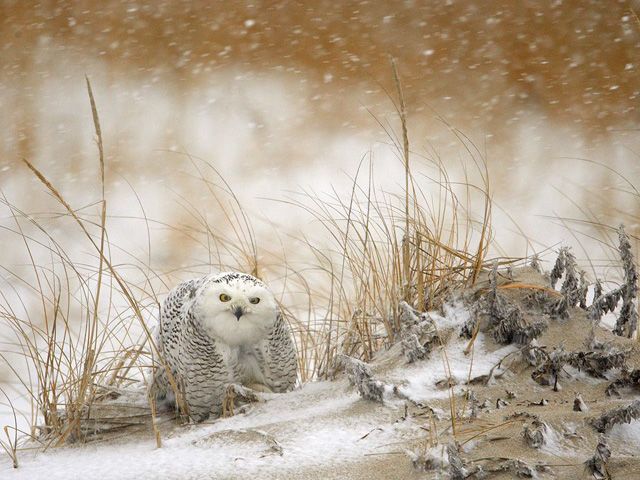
(414, 246)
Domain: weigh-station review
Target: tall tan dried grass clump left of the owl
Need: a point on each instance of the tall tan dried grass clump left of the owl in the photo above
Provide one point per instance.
(78, 342)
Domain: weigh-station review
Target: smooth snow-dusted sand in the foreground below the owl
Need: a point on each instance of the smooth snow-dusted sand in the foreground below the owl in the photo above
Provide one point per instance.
(314, 434)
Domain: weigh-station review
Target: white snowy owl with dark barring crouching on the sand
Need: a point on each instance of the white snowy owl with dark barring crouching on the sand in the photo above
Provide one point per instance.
(221, 329)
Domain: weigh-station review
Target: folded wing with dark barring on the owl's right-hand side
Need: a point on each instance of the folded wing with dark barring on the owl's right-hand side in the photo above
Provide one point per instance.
(280, 357)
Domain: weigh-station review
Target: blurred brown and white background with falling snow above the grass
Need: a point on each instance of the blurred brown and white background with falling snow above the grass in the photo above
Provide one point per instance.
(268, 90)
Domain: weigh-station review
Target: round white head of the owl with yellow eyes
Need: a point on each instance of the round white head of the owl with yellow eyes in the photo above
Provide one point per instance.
(235, 308)
